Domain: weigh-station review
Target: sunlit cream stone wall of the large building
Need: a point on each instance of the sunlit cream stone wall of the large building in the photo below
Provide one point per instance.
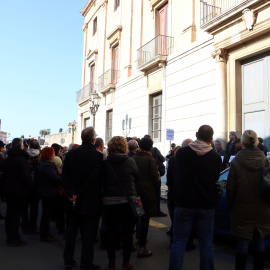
(196, 88)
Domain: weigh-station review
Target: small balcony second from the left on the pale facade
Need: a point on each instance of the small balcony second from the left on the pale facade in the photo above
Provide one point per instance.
(108, 80)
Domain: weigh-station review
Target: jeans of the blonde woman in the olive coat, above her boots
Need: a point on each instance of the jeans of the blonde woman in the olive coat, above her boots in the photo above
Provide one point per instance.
(243, 243)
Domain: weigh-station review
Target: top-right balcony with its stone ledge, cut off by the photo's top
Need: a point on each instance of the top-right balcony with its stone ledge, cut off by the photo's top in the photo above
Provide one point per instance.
(216, 10)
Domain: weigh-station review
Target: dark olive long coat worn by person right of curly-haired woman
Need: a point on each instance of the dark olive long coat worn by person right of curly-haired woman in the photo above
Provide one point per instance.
(148, 178)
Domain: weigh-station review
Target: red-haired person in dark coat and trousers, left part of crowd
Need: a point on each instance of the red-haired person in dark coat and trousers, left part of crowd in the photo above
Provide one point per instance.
(49, 181)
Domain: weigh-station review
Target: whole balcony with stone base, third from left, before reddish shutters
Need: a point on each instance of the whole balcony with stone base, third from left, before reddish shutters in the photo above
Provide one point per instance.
(154, 52)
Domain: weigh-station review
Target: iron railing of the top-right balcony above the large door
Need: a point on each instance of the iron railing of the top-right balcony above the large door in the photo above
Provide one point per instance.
(211, 9)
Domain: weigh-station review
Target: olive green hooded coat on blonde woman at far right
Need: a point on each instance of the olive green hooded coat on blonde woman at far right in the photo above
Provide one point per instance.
(243, 194)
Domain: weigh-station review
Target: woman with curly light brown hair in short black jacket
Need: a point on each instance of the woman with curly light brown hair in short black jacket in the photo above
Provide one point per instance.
(120, 177)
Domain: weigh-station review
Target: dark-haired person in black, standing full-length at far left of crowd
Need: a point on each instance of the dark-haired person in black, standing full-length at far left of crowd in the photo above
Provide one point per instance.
(18, 185)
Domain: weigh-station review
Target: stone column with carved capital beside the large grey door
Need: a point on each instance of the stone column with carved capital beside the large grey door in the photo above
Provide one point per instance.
(221, 95)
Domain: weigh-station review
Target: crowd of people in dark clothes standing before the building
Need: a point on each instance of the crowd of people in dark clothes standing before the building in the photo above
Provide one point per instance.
(89, 188)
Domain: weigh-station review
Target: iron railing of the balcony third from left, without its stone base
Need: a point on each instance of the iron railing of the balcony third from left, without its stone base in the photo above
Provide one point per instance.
(158, 46)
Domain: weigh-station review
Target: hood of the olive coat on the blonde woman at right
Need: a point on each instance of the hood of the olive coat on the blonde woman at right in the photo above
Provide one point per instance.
(252, 159)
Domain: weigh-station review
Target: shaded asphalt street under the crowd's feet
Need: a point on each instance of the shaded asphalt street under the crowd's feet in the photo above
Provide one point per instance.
(48, 256)
